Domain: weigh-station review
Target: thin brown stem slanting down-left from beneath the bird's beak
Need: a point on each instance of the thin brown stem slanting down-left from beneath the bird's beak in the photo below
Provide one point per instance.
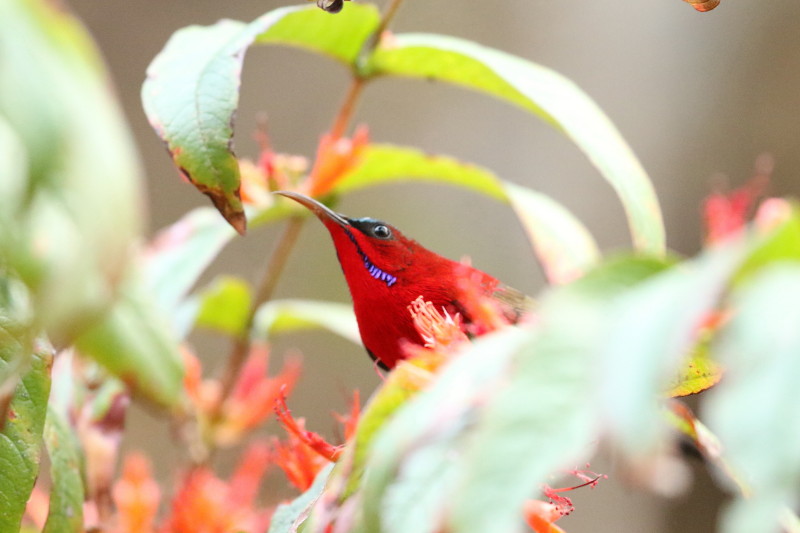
(241, 346)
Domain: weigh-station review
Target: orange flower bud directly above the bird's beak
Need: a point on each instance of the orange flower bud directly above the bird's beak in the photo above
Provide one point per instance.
(334, 158)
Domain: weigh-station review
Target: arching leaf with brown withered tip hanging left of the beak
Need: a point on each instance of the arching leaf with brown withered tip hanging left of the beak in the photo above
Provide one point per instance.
(192, 89)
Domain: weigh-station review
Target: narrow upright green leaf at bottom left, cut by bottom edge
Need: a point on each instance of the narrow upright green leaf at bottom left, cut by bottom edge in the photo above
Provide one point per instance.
(67, 492)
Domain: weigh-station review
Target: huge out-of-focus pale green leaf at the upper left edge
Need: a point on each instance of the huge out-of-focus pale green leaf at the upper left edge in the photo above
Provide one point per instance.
(69, 236)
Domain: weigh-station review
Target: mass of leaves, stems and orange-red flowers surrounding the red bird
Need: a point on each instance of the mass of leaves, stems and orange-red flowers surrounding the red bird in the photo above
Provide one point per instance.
(460, 436)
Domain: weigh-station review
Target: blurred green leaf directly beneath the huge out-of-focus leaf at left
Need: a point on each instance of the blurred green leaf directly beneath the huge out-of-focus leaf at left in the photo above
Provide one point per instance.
(133, 343)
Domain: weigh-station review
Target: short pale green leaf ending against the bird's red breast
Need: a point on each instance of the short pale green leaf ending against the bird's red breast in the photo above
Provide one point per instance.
(286, 316)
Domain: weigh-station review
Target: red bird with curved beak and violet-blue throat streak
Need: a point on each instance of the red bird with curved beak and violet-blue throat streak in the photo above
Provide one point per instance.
(386, 271)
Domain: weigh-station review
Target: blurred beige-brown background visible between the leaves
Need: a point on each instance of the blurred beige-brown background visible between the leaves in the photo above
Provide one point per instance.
(695, 95)
